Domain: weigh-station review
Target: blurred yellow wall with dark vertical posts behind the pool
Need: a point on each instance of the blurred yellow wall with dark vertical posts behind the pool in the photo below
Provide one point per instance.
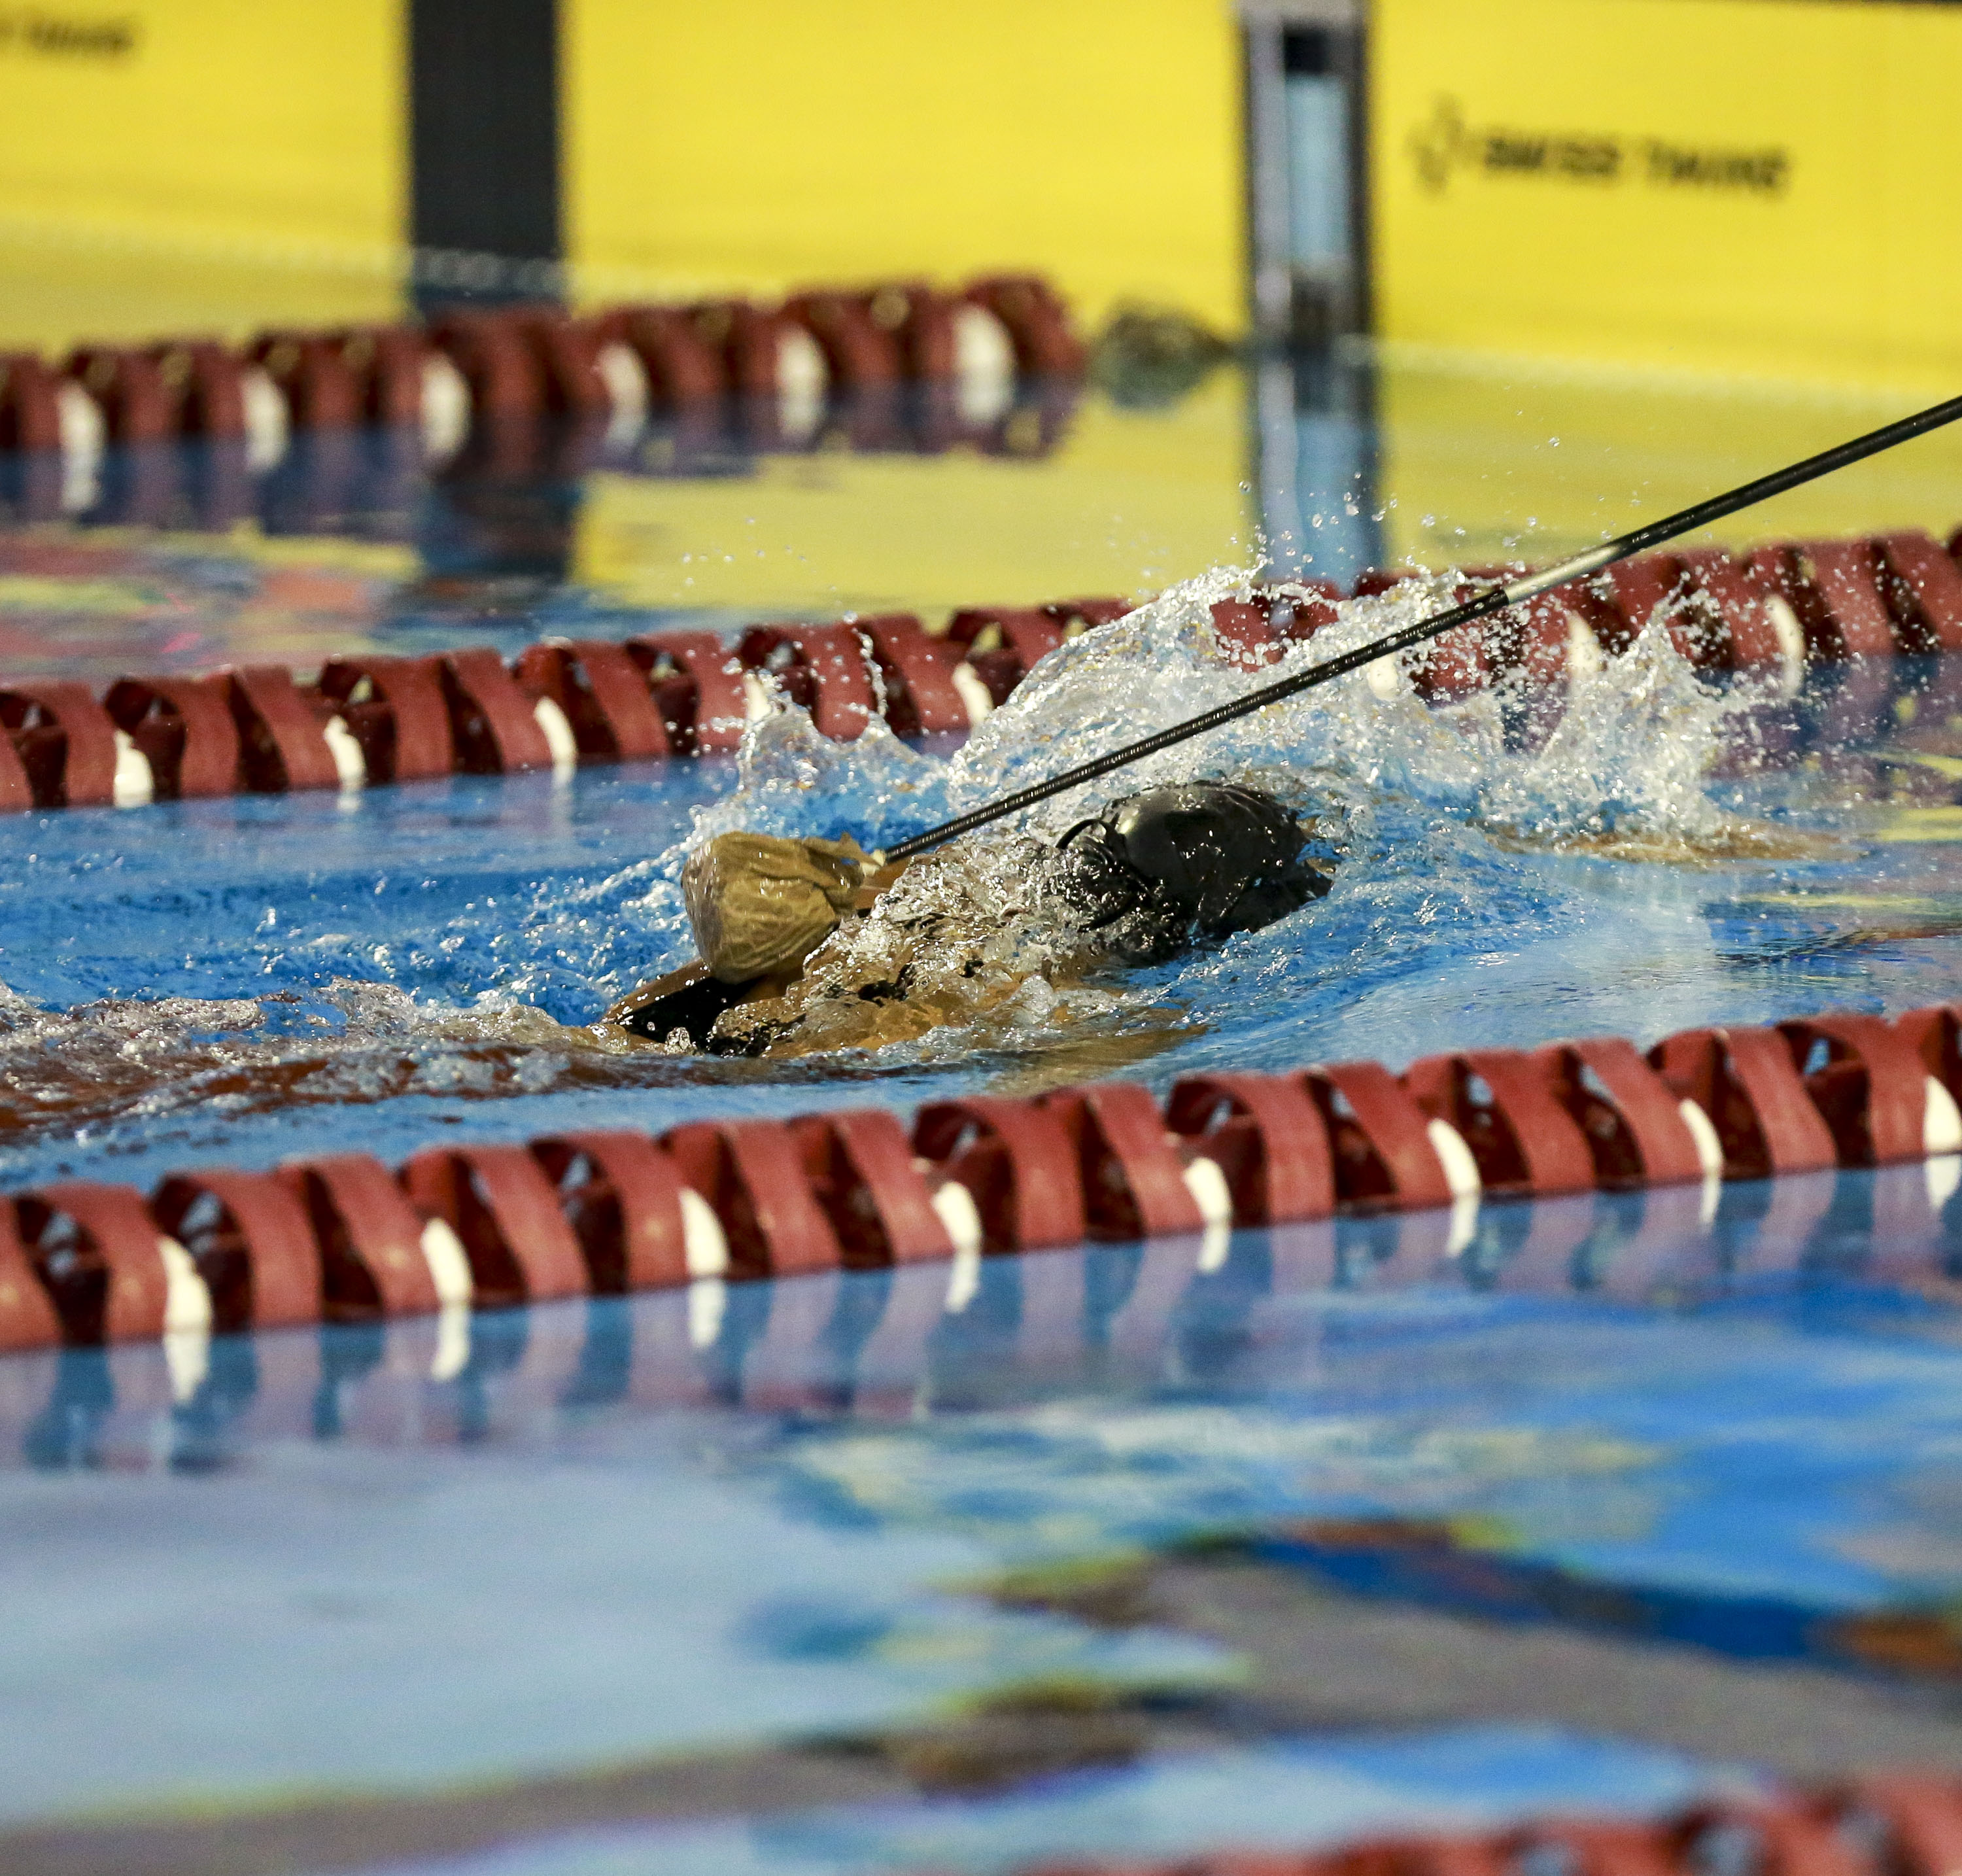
(1755, 187)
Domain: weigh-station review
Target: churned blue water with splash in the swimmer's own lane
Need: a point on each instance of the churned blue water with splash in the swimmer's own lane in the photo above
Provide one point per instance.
(183, 970)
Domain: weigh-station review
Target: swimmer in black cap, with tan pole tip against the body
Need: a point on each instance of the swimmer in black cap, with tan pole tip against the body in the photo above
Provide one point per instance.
(813, 945)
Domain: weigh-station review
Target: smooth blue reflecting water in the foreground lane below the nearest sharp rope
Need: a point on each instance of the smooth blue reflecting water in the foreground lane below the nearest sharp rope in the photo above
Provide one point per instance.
(340, 1567)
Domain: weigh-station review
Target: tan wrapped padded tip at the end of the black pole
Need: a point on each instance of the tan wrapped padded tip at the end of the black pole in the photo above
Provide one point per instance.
(760, 904)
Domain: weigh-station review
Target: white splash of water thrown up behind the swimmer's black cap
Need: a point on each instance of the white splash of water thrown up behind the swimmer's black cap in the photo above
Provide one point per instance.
(1629, 753)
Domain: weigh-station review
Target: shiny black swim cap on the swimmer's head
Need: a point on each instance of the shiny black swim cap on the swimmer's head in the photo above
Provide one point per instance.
(1157, 872)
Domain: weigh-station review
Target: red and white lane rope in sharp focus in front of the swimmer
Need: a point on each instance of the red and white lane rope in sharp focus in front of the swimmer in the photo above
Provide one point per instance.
(613, 1212)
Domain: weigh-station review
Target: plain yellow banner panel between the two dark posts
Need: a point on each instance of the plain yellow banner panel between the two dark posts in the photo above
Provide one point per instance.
(770, 144)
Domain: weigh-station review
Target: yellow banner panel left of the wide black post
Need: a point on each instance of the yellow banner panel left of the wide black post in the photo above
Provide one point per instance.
(199, 164)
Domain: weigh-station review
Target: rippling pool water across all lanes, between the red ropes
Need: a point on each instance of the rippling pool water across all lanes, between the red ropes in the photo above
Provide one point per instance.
(319, 1571)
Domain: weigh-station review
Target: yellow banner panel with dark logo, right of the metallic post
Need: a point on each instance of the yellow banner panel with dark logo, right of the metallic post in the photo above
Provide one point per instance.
(1749, 187)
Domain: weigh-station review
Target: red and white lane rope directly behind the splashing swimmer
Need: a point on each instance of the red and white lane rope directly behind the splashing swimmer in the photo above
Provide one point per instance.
(374, 719)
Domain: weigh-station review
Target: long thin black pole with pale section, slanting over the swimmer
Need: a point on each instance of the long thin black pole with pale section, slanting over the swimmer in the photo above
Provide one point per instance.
(1494, 599)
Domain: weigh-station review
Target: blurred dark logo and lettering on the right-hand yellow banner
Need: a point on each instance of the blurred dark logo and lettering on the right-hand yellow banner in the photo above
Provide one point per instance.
(1447, 144)
